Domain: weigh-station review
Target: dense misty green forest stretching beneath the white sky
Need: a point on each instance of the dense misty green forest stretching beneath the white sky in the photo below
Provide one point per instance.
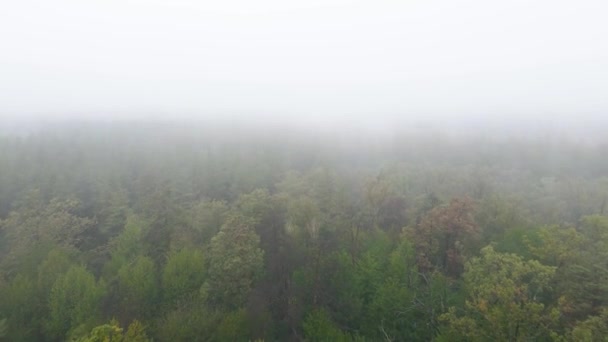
(167, 232)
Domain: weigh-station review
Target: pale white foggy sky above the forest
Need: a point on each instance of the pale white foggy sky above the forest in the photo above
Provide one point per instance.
(432, 58)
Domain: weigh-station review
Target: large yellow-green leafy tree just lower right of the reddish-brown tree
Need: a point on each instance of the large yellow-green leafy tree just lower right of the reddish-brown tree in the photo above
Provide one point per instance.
(504, 300)
